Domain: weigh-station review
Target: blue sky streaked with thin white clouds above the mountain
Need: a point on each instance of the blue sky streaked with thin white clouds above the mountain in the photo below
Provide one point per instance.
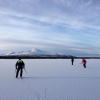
(63, 26)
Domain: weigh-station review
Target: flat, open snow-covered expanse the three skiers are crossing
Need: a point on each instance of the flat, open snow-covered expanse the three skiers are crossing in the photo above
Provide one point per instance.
(50, 79)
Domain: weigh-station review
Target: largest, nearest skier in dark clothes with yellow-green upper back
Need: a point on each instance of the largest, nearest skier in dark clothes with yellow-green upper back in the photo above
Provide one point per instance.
(19, 67)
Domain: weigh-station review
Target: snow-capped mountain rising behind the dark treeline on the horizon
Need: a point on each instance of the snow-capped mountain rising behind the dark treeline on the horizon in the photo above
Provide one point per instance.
(33, 52)
